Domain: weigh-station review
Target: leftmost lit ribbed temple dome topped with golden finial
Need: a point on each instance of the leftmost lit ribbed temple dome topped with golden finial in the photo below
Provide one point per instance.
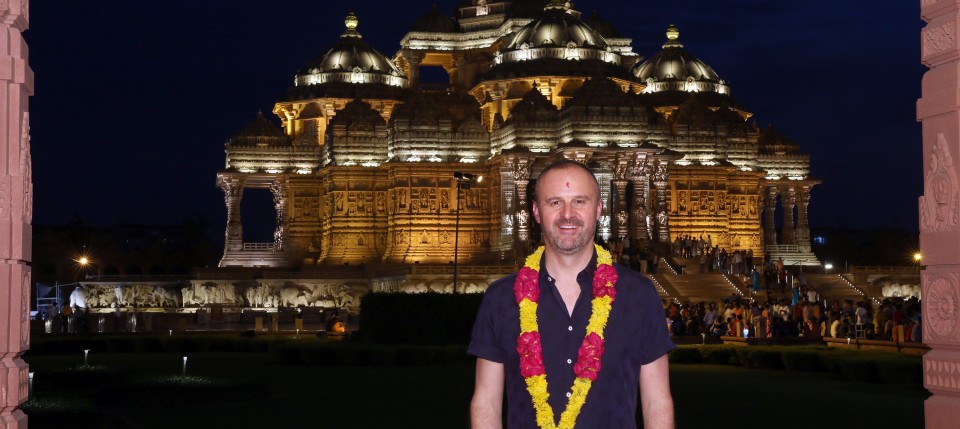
(351, 60)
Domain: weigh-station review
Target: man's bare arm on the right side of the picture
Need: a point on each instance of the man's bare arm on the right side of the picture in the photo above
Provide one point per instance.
(655, 399)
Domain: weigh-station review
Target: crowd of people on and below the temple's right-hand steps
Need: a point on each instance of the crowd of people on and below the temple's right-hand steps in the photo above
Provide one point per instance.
(790, 306)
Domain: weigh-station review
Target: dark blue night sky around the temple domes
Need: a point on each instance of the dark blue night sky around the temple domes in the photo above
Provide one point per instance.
(134, 99)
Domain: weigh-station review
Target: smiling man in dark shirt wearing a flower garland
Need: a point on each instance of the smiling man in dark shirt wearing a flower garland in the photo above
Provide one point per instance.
(635, 340)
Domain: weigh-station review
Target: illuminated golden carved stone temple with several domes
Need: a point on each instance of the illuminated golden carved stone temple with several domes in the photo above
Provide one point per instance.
(362, 164)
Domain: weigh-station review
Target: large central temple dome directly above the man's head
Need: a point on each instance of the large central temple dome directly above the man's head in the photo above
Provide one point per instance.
(558, 33)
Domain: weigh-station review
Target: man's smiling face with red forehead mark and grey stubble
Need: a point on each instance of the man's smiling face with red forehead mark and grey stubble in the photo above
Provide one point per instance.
(567, 208)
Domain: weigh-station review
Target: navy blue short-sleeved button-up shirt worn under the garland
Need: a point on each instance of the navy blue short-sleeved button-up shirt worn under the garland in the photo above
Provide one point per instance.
(636, 335)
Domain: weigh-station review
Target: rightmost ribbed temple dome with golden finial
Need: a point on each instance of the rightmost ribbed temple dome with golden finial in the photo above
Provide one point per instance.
(673, 69)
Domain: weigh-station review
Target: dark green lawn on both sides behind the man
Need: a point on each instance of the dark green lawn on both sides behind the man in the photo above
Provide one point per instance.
(245, 390)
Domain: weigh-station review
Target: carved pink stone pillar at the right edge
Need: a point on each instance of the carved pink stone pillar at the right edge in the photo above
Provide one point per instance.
(938, 110)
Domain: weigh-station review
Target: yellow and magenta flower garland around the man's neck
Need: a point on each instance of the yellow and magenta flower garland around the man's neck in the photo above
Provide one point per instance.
(526, 289)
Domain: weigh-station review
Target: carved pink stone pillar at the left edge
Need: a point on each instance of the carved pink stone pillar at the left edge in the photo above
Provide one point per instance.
(16, 211)
